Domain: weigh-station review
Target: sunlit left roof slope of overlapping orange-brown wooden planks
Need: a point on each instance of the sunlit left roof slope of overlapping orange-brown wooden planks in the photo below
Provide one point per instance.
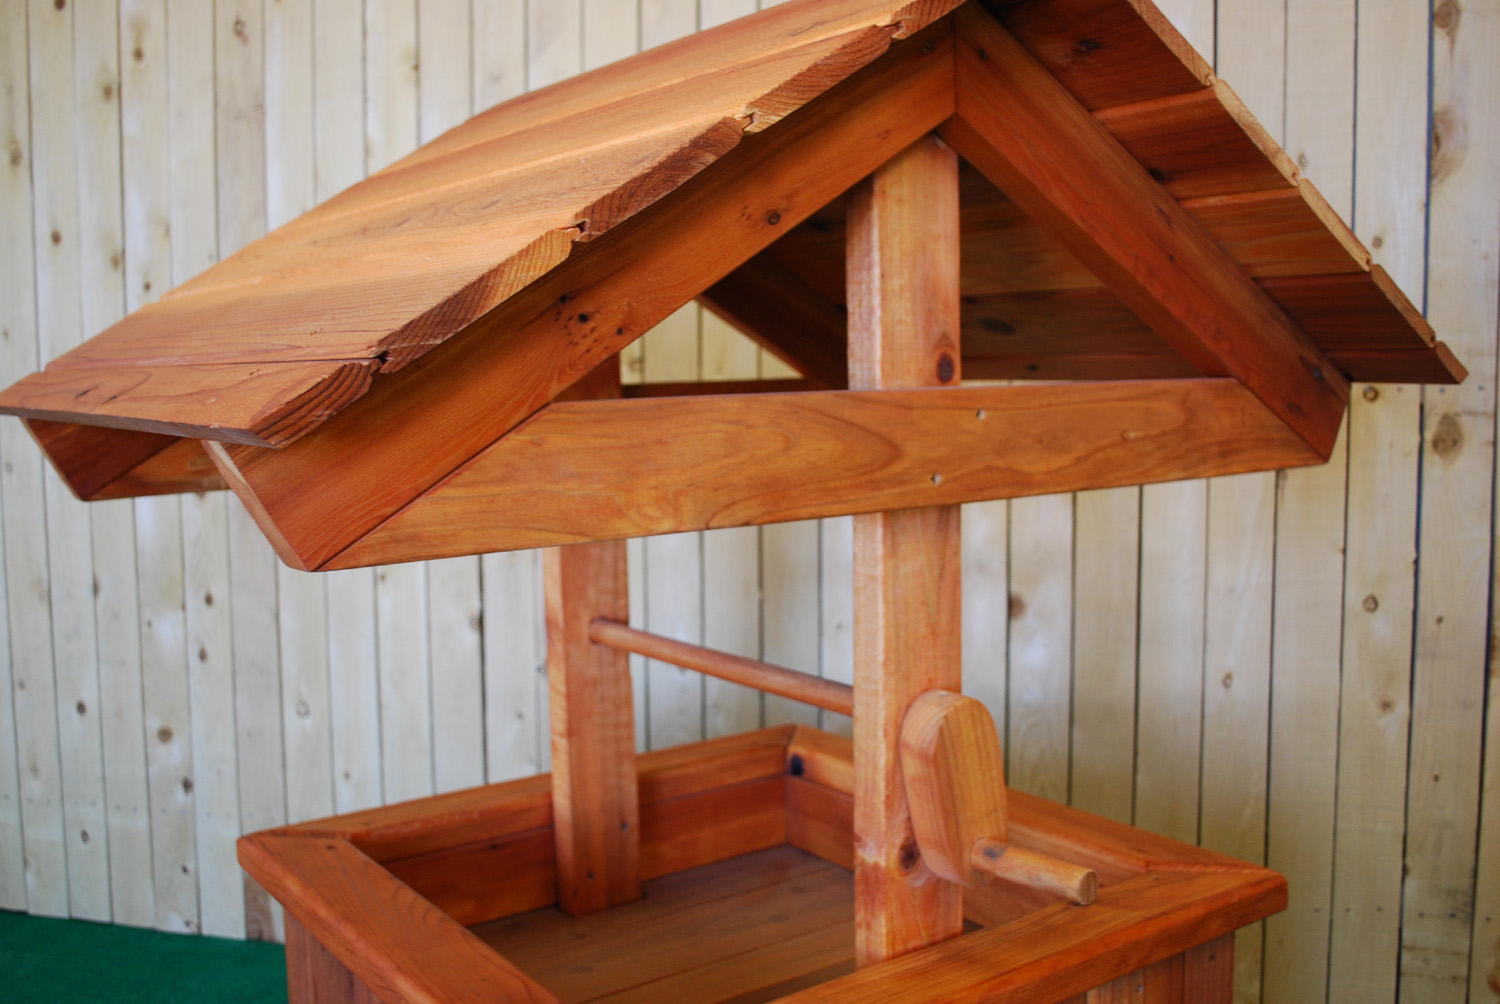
(683, 118)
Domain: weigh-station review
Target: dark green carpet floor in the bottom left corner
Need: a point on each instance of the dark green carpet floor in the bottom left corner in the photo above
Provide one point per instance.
(77, 963)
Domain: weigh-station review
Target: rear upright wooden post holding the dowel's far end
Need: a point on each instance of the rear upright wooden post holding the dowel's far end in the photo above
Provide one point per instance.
(596, 810)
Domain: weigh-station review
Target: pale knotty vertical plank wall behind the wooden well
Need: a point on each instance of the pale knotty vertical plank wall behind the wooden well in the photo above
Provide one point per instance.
(1294, 669)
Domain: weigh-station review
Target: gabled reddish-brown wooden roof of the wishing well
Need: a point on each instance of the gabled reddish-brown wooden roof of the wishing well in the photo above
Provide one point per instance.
(1123, 218)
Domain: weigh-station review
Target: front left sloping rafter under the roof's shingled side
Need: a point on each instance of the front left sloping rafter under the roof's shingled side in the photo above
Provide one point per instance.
(446, 409)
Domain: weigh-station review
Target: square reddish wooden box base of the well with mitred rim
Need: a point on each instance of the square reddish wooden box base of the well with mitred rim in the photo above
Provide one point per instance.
(745, 846)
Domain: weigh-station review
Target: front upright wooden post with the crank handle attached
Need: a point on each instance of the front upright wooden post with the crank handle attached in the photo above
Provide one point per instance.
(904, 332)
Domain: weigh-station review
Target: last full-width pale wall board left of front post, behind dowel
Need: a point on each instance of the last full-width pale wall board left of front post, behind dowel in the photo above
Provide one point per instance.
(790, 630)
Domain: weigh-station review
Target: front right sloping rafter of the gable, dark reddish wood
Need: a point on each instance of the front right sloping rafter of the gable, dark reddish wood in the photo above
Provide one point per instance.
(1184, 286)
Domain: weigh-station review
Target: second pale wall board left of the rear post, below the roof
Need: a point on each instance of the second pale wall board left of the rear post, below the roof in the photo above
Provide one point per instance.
(458, 685)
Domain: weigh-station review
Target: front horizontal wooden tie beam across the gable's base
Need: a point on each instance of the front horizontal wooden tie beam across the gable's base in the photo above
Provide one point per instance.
(560, 478)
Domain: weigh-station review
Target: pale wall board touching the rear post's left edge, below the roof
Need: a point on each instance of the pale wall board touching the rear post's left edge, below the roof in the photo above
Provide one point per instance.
(512, 676)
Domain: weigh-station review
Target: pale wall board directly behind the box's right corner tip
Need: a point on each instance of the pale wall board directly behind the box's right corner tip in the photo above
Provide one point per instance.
(1237, 655)
